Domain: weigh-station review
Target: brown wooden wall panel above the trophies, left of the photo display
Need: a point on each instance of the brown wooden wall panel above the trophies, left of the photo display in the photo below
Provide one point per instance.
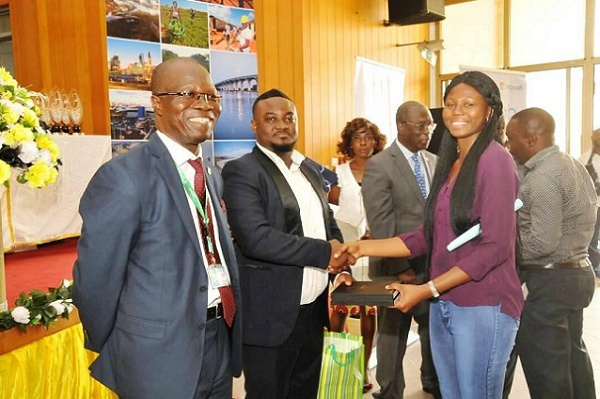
(62, 44)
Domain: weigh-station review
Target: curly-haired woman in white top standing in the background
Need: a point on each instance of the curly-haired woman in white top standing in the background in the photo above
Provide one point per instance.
(360, 140)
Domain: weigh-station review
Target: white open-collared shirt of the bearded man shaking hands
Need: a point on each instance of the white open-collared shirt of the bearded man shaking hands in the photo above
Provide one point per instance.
(314, 280)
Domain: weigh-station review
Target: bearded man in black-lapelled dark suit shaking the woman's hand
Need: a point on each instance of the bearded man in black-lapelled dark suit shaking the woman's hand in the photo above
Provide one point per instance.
(285, 236)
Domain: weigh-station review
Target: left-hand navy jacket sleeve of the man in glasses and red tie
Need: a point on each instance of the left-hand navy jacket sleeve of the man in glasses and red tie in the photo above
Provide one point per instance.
(111, 216)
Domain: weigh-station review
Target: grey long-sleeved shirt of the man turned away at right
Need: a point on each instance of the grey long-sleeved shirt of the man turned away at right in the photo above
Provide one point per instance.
(557, 220)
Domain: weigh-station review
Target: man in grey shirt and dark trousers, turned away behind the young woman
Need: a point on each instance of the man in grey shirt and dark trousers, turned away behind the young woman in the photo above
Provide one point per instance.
(556, 224)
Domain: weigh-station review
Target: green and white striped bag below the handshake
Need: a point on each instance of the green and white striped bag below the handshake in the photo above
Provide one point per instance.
(342, 368)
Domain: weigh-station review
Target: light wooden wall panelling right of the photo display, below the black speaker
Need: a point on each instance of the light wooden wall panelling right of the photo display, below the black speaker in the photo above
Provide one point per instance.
(307, 49)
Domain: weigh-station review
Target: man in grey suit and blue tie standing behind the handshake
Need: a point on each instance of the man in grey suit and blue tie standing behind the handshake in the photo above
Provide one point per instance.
(395, 185)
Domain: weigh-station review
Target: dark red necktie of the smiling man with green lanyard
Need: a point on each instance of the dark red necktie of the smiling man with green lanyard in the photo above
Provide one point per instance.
(226, 292)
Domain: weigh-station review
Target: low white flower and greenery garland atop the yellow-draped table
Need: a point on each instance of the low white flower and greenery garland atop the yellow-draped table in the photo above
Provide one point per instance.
(39, 308)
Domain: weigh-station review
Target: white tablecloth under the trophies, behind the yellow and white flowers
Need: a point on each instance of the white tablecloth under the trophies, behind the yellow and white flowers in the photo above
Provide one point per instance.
(35, 216)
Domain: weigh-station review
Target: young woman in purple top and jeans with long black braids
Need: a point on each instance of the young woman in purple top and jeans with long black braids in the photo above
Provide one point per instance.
(477, 298)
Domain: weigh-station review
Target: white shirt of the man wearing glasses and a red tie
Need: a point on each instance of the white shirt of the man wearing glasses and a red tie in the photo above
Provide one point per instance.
(181, 156)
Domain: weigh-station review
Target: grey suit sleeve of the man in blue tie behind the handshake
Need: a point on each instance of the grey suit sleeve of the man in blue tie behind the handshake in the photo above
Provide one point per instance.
(378, 199)
